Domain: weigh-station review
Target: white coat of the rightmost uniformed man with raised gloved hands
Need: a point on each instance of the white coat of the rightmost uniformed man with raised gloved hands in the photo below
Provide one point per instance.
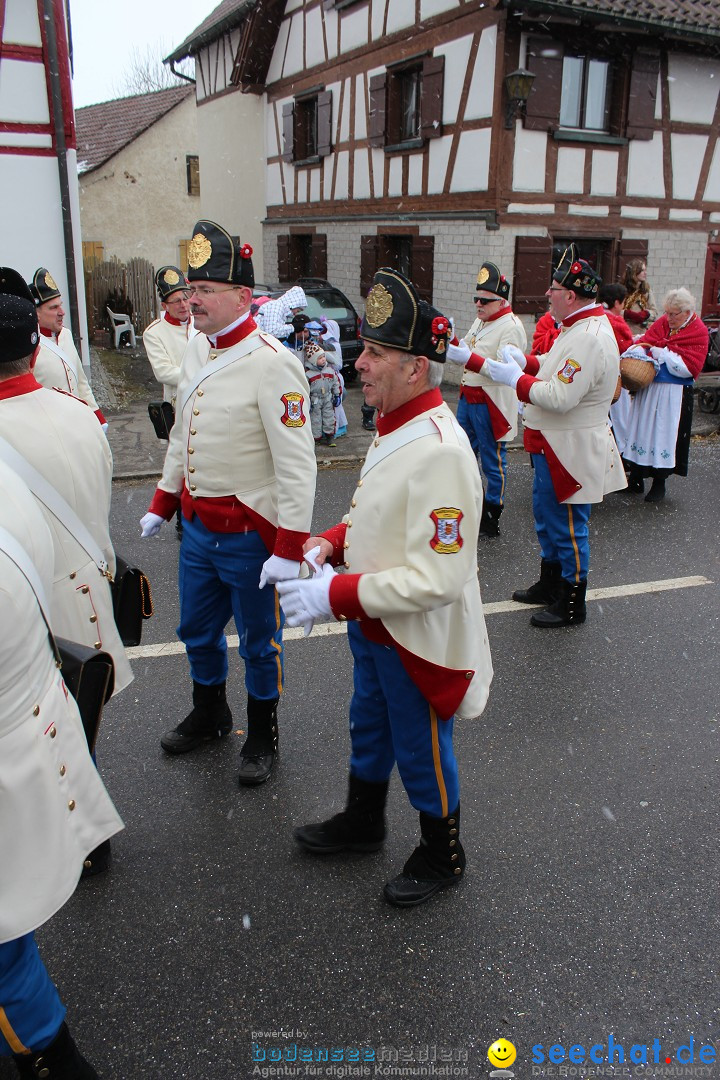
(568, 403)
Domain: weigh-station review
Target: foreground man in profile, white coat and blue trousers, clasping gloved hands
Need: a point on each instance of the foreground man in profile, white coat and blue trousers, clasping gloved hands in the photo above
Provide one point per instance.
(416, 629)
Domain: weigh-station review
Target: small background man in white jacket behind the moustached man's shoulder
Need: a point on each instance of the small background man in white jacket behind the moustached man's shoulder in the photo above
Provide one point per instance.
(167, 339)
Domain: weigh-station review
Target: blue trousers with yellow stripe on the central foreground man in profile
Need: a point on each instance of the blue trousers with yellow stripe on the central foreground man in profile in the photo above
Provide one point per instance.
(391, 722)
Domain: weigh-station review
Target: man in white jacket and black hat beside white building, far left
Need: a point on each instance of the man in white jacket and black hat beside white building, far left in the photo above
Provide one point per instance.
(58, 364)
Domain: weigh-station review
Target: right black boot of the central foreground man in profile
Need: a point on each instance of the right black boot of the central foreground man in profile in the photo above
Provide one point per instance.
(439, 862)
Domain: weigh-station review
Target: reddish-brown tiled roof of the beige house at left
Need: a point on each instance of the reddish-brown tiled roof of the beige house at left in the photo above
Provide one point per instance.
(103, 130)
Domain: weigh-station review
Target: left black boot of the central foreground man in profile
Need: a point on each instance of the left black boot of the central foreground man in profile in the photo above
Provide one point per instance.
(360, 828)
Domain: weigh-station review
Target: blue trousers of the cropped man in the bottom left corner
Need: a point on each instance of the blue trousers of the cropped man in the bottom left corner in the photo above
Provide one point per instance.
(31, 1009)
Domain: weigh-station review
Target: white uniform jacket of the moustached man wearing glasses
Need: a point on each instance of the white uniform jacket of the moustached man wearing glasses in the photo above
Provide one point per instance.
(246, 431)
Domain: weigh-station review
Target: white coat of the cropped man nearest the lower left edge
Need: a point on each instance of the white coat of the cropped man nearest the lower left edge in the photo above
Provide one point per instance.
(55, 808)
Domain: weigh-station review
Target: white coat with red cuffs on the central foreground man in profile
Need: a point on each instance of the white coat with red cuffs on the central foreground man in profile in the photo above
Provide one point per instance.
(410, 549)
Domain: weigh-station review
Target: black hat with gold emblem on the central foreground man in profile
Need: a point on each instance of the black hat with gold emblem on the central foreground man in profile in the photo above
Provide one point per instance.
(397, 317)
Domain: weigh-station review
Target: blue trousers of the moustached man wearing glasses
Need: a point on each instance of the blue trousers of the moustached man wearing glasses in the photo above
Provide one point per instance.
(219, 578)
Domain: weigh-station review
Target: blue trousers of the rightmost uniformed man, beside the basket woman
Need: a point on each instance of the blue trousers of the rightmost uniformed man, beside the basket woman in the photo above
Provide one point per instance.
(562, 528)
